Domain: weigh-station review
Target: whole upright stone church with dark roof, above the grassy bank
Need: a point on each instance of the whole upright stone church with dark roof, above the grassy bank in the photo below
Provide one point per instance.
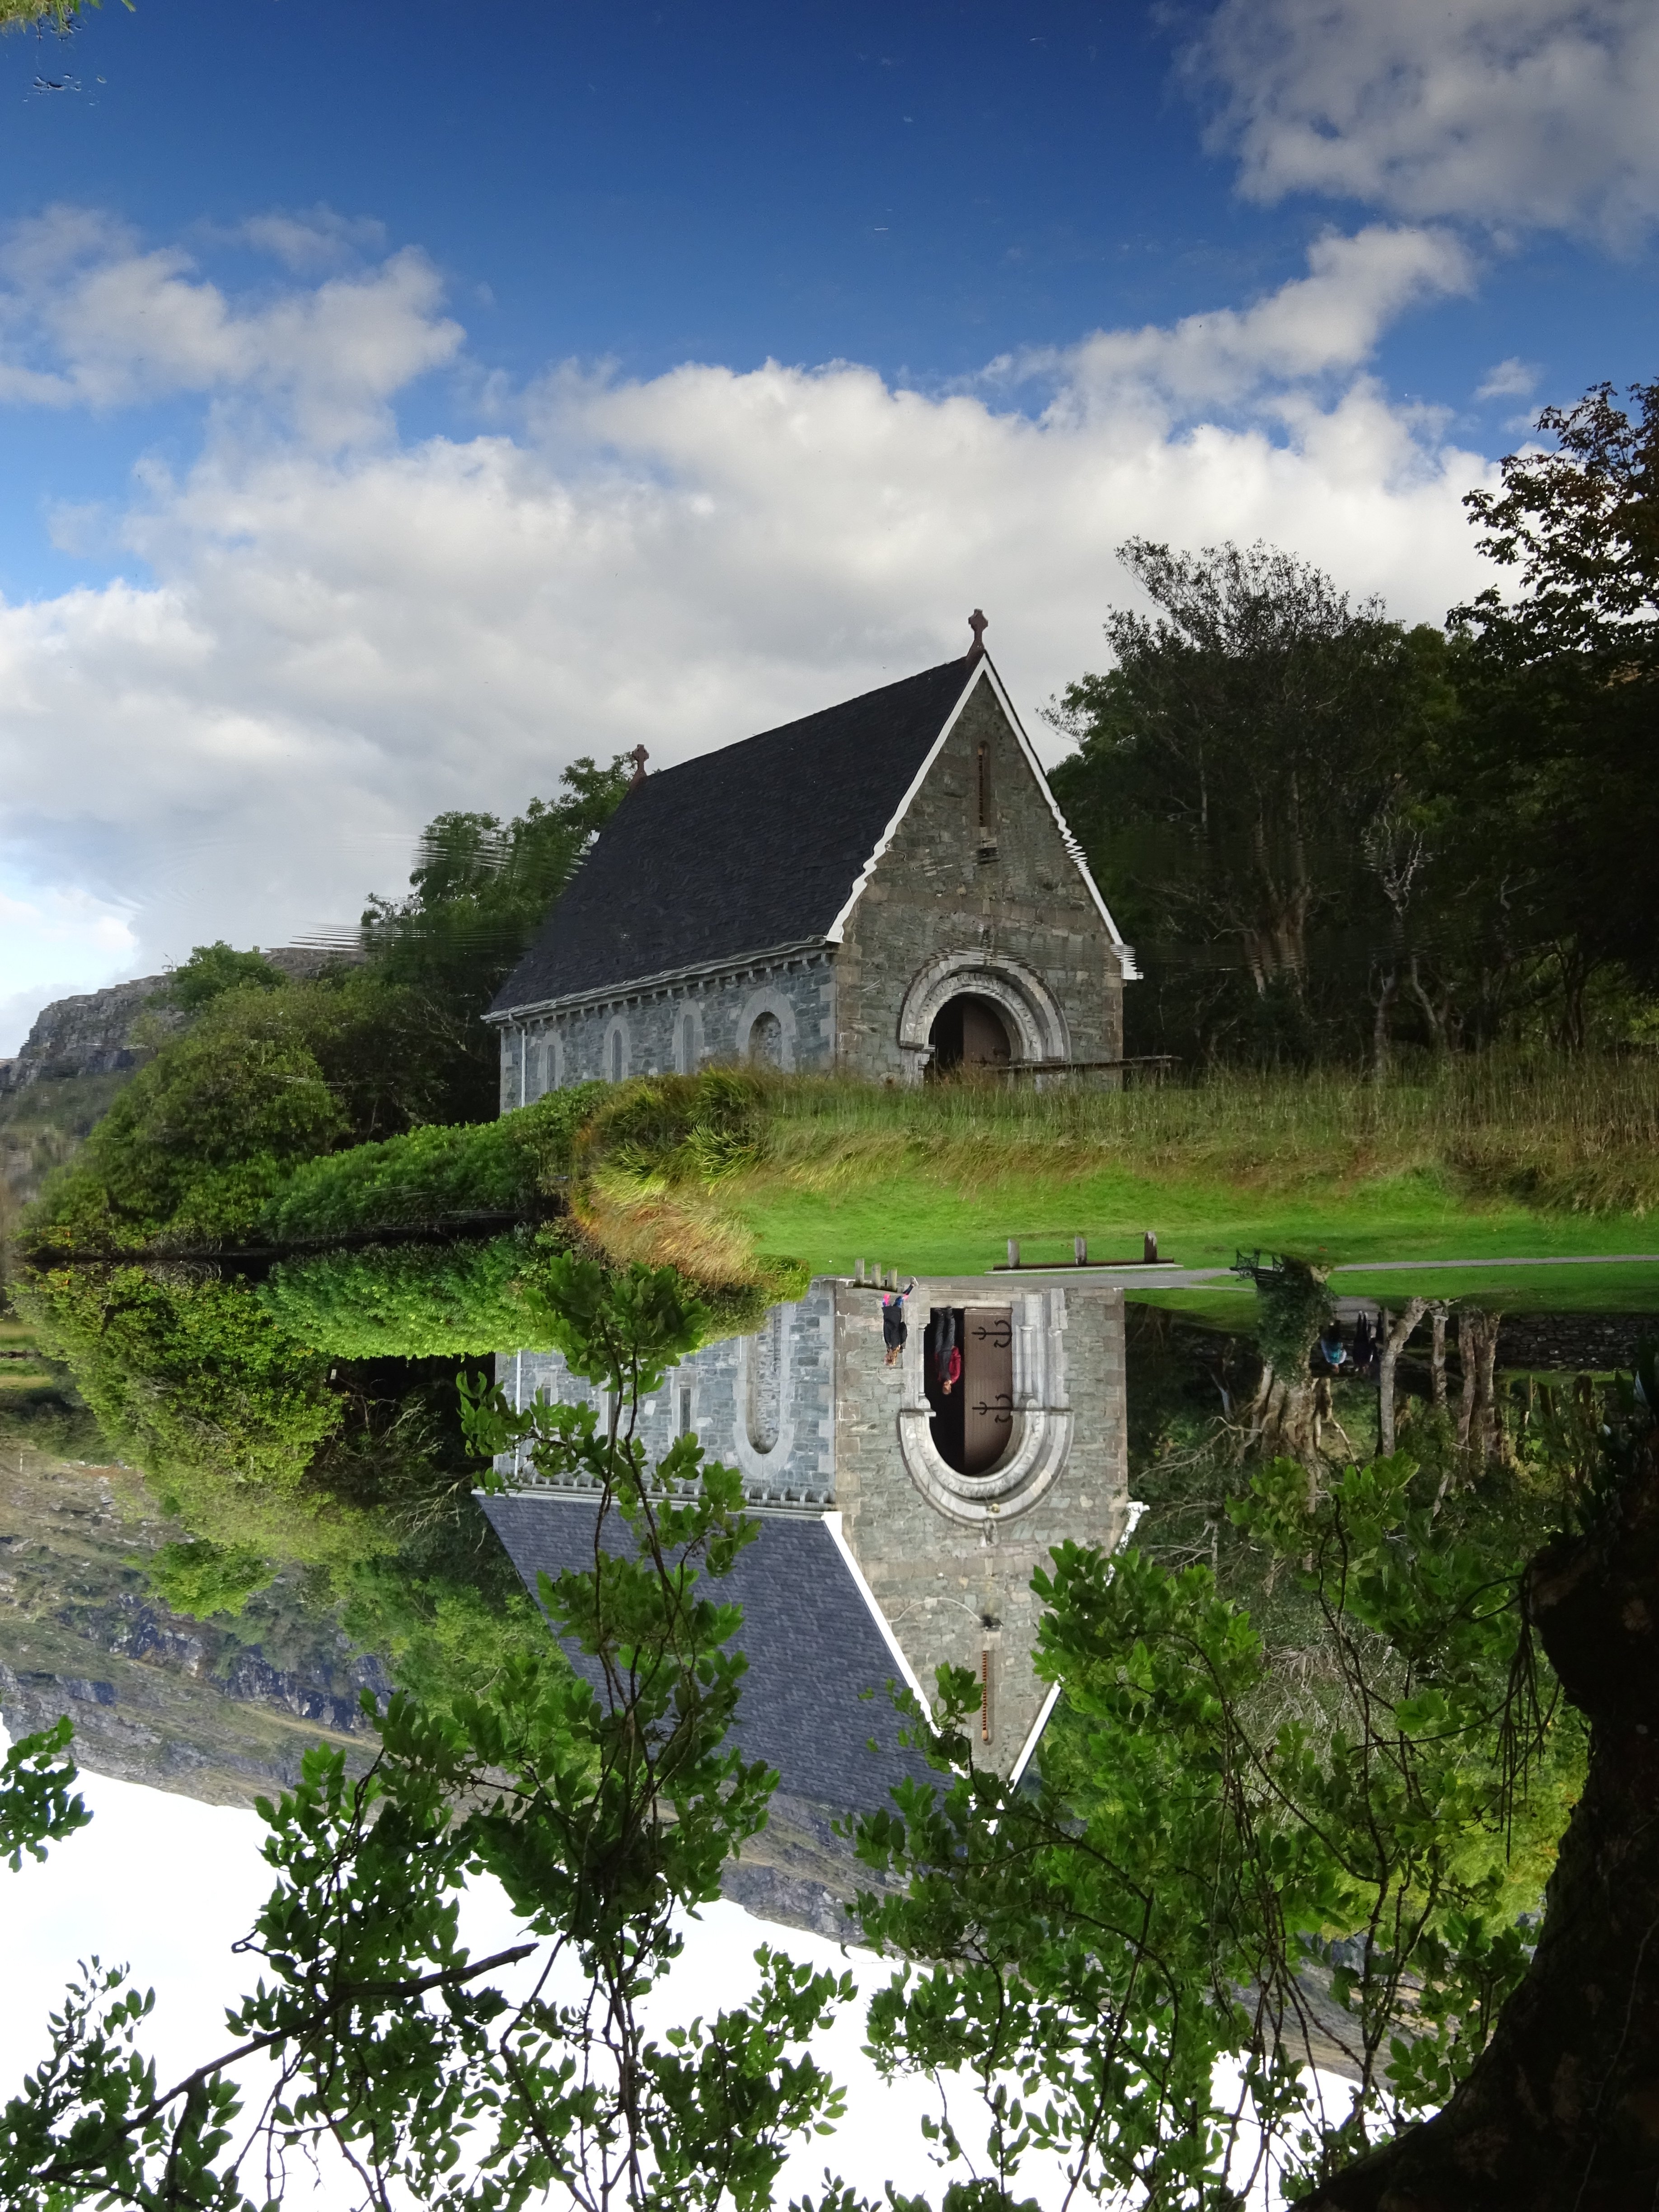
(884, 888)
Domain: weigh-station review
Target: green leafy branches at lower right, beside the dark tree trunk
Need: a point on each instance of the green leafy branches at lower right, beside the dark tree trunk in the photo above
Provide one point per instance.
(1218, 1870)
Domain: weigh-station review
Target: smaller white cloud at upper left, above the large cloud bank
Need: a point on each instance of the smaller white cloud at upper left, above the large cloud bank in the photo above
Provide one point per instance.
(94, 320)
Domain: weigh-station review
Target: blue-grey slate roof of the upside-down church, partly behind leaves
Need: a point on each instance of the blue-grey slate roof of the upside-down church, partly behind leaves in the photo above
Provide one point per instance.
(808, 1636)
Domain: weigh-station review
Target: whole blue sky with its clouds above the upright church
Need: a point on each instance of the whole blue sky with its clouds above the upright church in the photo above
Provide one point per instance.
(399, 404)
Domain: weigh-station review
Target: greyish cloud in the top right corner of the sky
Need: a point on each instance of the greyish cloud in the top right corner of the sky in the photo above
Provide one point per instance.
(1501, 112)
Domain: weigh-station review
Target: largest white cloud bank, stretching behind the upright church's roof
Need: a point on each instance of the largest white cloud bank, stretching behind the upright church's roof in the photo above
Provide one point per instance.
(333, 645)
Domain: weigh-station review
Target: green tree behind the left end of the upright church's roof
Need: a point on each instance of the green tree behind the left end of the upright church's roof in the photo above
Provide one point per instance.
(479, 893)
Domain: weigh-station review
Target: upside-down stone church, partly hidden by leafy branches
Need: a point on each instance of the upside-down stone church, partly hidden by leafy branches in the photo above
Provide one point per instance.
(899, 1532)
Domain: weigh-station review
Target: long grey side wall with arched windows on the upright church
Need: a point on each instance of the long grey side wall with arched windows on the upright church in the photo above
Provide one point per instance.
(565, 1050)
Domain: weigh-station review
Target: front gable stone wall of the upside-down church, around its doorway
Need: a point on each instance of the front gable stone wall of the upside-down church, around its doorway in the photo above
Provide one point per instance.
(939, 1580)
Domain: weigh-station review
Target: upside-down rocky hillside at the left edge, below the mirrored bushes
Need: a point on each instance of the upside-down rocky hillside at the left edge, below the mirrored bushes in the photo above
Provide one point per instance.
(218, 1713)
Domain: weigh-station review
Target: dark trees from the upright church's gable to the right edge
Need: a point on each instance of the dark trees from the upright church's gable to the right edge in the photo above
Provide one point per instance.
(1333, 837)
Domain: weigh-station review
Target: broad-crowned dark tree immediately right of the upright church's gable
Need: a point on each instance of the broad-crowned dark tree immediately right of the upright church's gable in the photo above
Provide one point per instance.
(1242, 791)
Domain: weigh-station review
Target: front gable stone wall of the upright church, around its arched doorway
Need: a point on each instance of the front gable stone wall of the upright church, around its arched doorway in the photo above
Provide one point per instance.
(935, 895)
